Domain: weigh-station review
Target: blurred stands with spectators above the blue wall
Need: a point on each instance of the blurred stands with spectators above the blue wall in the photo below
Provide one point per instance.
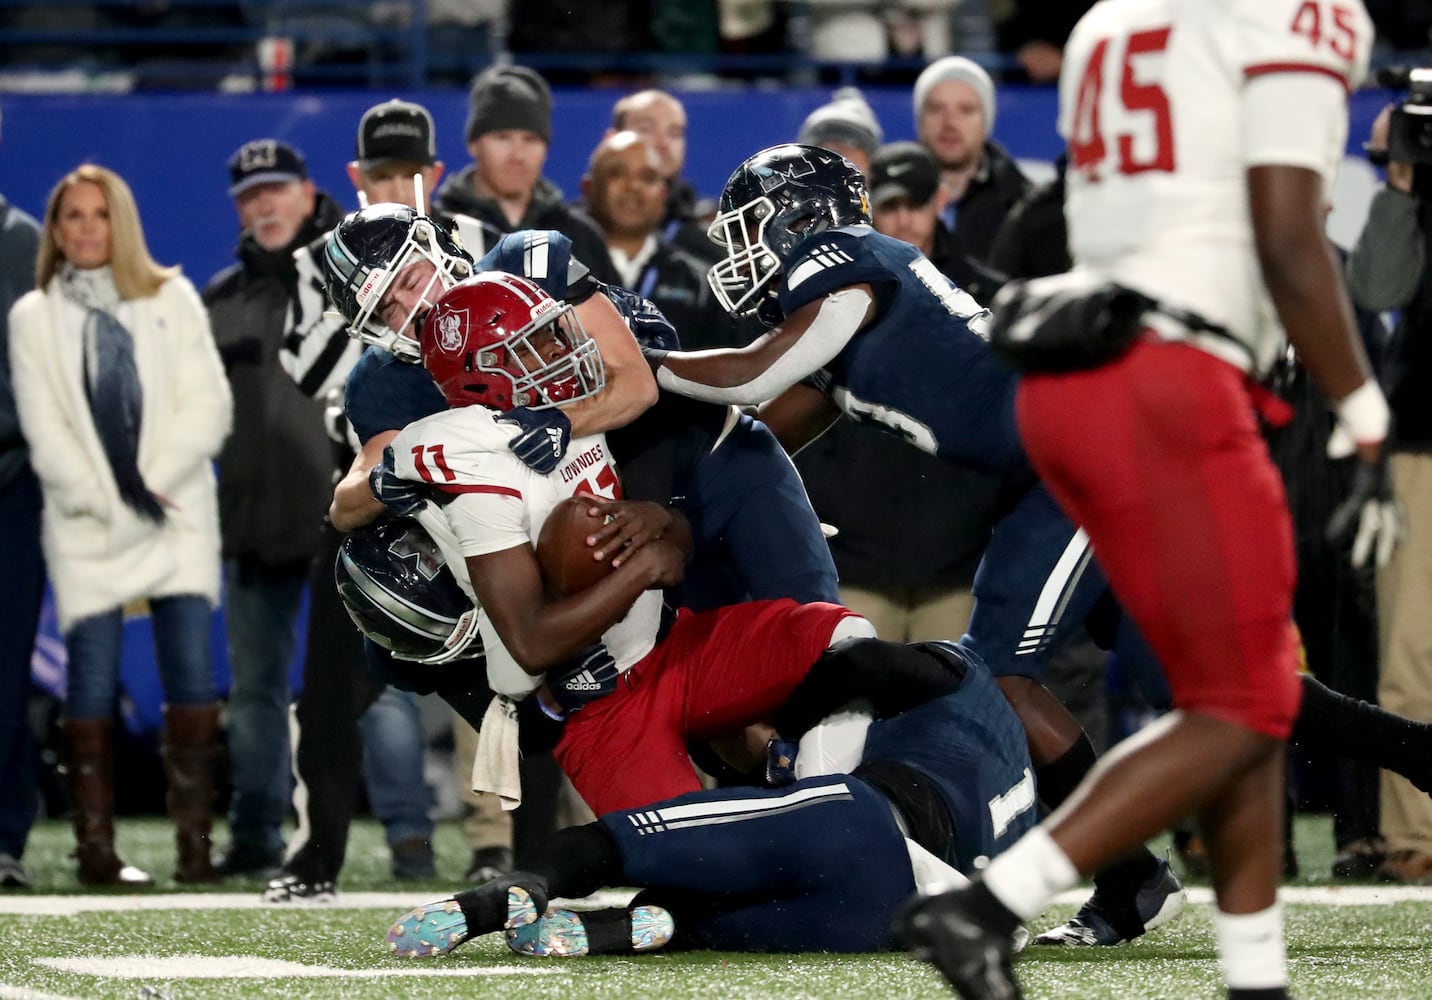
(243, 45)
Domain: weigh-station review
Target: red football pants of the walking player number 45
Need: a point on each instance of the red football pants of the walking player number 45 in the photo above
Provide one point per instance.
(1159, 458)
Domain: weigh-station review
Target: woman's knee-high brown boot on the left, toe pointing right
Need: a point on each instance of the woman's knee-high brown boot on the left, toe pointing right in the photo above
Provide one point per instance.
(92, 783)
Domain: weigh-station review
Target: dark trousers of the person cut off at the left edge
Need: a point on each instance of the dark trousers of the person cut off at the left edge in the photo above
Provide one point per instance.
(22, 587)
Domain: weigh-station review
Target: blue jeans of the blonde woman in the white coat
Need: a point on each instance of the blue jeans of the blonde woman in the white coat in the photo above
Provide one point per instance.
(95, 644)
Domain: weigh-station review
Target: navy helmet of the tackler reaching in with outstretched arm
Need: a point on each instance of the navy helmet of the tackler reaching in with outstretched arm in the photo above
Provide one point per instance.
(773, 204)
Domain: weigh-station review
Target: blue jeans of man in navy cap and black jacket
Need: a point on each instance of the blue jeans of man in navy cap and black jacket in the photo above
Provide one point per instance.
(261, 614)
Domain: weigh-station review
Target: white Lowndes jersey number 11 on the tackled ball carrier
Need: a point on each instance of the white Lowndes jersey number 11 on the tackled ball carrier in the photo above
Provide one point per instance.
(499, 504)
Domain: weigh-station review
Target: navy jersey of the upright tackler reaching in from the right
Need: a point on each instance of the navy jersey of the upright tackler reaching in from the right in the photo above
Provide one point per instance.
(923, 367)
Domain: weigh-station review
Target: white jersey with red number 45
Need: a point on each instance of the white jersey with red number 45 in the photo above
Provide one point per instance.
(1165, 107)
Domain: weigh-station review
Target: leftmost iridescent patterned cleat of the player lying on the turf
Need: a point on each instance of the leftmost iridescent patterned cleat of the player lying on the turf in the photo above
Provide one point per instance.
(440, 926)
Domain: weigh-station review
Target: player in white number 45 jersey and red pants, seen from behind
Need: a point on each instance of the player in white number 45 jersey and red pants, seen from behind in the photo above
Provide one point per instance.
(1202, 143)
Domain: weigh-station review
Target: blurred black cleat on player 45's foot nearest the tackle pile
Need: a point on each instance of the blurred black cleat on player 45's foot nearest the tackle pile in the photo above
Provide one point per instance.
(972, 958)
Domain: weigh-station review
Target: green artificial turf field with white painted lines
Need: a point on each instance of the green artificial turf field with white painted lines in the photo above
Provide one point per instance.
(1337, 952)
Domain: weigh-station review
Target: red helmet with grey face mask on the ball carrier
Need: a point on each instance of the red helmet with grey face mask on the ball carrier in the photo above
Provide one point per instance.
(502, 342)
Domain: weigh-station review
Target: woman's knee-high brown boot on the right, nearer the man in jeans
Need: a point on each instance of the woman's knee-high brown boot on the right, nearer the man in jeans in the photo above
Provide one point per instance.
(190, 753)
